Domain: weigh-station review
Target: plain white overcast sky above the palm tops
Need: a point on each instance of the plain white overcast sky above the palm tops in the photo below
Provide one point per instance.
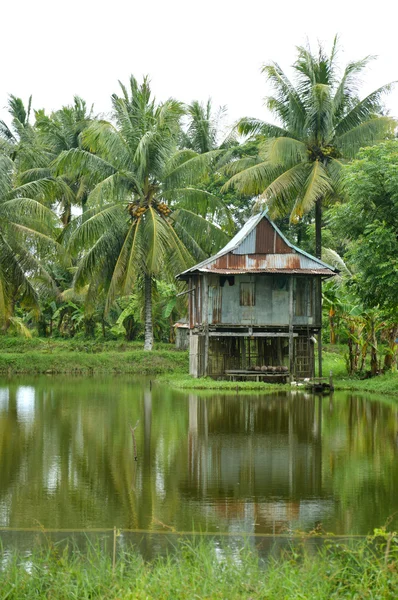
(191, 50)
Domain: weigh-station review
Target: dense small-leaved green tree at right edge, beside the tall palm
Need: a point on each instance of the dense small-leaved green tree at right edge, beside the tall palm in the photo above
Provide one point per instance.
(371, 237)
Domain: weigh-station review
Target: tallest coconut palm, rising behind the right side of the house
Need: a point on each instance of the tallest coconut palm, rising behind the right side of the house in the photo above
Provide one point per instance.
(321, 123)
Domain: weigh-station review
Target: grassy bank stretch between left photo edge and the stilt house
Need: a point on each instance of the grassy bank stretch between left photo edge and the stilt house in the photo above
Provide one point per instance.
(20, 356)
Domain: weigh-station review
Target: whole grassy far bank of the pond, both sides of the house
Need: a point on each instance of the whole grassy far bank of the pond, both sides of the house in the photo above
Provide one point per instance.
(79, 356)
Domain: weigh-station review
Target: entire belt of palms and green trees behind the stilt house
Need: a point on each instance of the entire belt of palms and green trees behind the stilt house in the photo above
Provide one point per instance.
(89, 208)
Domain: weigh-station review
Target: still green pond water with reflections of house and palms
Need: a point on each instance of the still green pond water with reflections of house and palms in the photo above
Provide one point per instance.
(218, 463)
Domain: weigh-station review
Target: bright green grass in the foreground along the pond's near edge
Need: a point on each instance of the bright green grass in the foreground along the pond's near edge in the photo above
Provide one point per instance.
(201, 571)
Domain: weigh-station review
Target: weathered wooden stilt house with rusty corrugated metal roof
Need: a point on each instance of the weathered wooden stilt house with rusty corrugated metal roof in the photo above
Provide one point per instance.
(255, 306)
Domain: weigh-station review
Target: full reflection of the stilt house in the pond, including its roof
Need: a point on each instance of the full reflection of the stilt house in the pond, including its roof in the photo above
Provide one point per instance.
(259, 462)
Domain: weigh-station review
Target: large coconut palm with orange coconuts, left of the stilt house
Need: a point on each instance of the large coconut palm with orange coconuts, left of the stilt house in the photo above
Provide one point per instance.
(145, 218)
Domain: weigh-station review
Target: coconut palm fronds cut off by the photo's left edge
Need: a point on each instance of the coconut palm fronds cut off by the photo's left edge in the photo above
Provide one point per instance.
(27, 232)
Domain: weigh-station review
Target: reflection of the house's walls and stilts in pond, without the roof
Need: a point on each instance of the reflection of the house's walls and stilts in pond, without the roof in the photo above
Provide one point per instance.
(268, 448)
